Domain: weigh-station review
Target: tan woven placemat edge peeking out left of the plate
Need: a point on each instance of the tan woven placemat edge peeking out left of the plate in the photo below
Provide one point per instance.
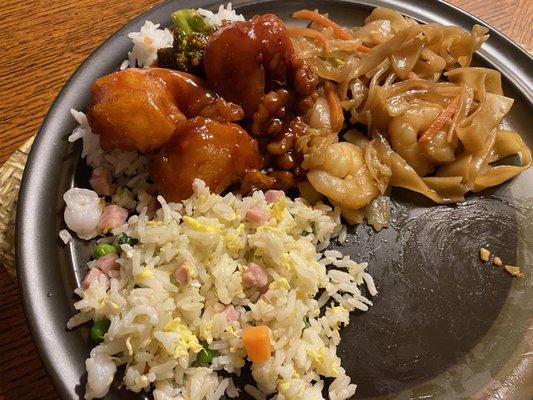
(10, 178)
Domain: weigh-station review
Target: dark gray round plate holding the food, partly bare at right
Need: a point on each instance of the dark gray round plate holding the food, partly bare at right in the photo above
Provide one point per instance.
(444, 326)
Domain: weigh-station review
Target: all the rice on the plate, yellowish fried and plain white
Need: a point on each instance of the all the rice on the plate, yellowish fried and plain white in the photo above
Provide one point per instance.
(157, 323)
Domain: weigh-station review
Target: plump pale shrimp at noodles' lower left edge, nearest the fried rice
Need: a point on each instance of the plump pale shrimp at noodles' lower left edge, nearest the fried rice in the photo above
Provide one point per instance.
(340, 173)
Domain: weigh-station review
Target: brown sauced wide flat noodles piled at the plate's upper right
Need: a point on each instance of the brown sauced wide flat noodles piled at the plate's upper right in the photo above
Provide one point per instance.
(397, 90)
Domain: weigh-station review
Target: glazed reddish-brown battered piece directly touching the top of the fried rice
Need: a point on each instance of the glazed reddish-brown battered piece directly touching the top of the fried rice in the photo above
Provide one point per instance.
(218, 153)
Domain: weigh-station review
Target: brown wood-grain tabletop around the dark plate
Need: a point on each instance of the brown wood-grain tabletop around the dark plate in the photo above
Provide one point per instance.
(42, 42)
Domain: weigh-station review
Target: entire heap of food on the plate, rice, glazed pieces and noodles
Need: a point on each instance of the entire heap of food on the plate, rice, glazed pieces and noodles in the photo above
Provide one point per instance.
(226, 155)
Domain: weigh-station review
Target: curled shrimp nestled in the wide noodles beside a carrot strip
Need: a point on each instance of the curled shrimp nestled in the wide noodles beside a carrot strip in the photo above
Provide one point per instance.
(404, 133)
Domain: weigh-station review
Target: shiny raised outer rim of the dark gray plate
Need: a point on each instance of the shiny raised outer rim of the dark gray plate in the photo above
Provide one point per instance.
(31, 212)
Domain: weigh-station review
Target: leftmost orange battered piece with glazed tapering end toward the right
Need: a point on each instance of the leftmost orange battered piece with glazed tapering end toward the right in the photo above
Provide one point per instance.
(139, 109)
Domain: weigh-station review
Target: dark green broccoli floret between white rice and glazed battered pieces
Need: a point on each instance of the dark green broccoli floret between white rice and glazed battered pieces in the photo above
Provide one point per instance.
(191, 33)
